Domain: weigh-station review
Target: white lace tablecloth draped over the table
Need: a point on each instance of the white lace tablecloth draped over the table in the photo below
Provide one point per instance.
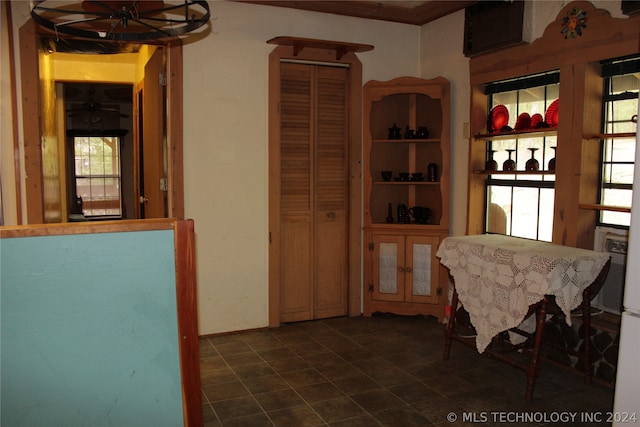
(498, 277)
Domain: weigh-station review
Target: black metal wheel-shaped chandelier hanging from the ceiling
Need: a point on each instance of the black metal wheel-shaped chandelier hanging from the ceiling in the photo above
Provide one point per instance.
(122, 20)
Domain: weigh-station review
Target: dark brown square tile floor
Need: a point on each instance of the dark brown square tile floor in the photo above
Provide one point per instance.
(379, 371)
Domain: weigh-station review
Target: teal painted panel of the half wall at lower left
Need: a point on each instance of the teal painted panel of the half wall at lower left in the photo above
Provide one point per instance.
(89, 333)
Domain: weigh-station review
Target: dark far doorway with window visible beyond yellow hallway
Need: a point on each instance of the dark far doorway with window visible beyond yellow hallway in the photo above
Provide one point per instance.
(99, 170)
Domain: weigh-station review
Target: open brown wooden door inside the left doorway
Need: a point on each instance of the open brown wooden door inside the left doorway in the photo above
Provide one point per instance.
(153, 180)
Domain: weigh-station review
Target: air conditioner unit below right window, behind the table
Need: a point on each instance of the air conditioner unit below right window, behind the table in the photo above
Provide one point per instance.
(615, 242)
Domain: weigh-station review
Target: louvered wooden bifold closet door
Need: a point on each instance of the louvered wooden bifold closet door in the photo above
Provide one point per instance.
(314, 191)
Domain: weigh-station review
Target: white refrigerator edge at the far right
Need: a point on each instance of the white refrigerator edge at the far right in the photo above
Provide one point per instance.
(626, 405)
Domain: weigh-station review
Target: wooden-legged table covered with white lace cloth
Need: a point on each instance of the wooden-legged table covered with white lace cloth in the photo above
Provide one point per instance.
(503, 280)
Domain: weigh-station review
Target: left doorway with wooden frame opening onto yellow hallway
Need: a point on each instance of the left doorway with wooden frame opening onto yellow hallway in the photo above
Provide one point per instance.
(51, 69)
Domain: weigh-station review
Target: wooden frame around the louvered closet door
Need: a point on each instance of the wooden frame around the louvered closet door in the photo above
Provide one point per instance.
(355, 173)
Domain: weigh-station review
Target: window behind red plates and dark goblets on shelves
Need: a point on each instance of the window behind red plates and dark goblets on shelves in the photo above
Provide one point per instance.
(520, 202)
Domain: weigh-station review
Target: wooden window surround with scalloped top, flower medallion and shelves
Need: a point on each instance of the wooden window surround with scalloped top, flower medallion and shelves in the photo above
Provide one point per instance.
(580, 93)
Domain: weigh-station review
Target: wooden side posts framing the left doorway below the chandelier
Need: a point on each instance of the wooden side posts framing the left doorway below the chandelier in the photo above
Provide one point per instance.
(30, 87)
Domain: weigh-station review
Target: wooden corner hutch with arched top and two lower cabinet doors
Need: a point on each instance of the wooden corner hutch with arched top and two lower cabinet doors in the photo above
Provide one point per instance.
(401, 272)
